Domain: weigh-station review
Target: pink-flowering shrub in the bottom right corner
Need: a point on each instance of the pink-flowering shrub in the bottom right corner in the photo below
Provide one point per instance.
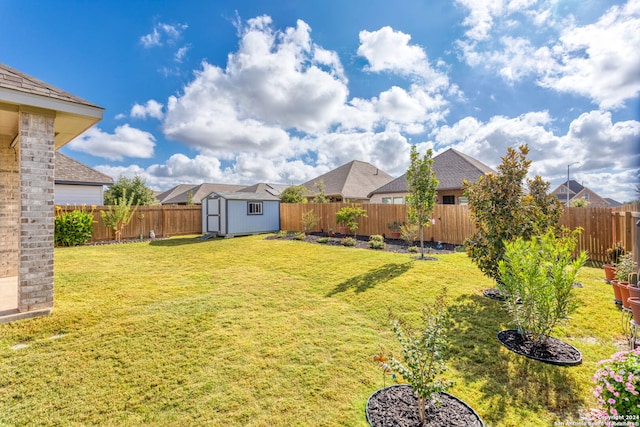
(618, 386)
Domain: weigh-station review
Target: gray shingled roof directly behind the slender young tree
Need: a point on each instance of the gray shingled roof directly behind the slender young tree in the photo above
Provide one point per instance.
(451, 168)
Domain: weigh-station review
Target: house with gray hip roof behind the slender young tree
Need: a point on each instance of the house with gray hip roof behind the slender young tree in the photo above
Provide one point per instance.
(451, 167)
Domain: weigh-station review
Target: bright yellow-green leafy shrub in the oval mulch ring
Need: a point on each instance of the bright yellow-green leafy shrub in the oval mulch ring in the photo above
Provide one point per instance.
(537, 277)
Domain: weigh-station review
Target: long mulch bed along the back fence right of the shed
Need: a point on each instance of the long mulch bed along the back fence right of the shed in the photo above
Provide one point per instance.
(391, 245)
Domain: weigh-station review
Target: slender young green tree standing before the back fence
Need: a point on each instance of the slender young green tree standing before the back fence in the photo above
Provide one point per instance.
(422, 183)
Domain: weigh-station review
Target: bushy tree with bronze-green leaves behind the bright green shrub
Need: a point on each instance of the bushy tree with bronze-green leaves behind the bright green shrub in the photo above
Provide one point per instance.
(501, 210)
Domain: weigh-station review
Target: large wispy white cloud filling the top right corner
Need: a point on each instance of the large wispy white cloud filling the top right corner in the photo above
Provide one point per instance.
(598, 60)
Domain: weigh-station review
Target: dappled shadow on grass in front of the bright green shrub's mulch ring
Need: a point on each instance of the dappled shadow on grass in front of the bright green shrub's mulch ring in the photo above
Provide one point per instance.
(506, 379)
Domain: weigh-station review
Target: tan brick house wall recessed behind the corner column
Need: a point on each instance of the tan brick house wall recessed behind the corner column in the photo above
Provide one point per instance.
(9, 209)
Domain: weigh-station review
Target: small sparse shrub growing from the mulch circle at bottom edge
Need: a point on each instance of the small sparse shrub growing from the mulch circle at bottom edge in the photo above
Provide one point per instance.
(423, 352)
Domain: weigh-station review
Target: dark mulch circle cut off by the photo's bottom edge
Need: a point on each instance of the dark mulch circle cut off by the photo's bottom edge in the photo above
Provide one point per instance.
(397, 406)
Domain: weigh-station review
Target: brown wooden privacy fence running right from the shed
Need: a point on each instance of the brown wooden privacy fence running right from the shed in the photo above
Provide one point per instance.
(601, 226)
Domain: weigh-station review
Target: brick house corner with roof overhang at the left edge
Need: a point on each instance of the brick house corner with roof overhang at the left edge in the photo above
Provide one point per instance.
(36, 119)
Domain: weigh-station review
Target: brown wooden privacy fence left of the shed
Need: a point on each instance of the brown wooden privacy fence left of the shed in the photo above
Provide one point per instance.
(163, 220)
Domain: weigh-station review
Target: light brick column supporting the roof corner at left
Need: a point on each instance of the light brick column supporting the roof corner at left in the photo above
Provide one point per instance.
(36, 154)
